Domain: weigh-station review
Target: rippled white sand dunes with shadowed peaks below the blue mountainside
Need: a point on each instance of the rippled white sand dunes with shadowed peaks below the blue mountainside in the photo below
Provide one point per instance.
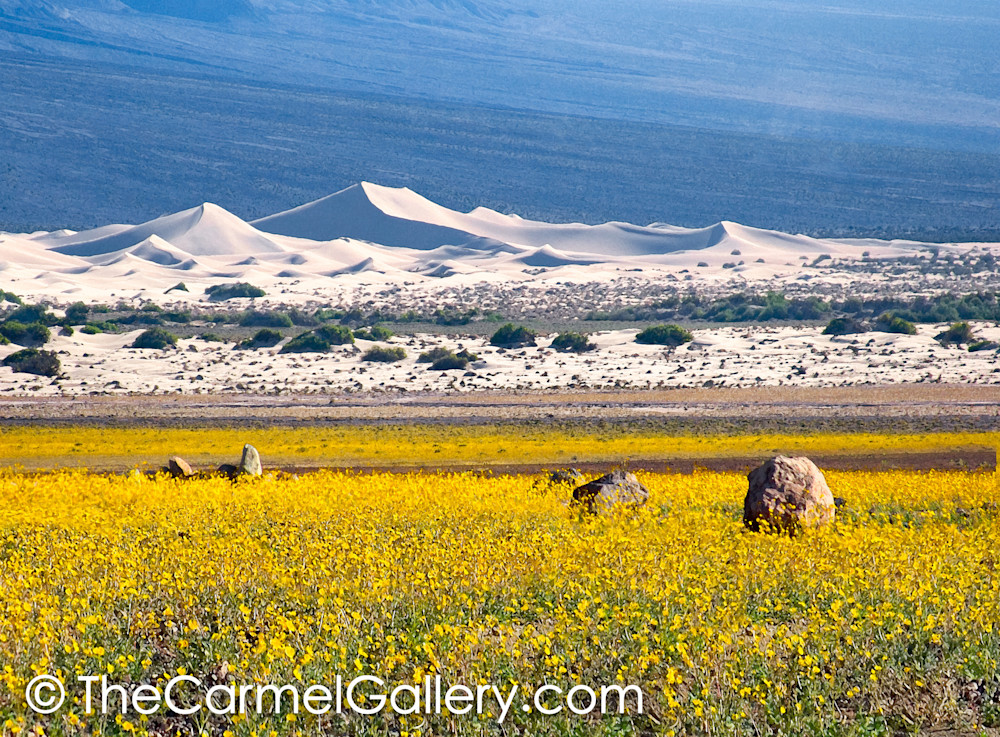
(368, 236)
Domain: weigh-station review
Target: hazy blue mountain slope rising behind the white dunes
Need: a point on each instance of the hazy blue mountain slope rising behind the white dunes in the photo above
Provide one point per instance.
(831, 118)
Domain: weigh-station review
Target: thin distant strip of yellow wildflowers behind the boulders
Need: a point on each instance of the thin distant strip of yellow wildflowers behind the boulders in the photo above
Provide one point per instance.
(393, 445)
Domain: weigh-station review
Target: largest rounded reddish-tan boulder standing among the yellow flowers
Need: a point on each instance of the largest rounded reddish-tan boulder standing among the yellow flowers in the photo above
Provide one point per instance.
(787, 494)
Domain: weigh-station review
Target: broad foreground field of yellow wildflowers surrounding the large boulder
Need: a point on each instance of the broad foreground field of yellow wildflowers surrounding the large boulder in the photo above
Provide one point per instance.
(885, 622)
